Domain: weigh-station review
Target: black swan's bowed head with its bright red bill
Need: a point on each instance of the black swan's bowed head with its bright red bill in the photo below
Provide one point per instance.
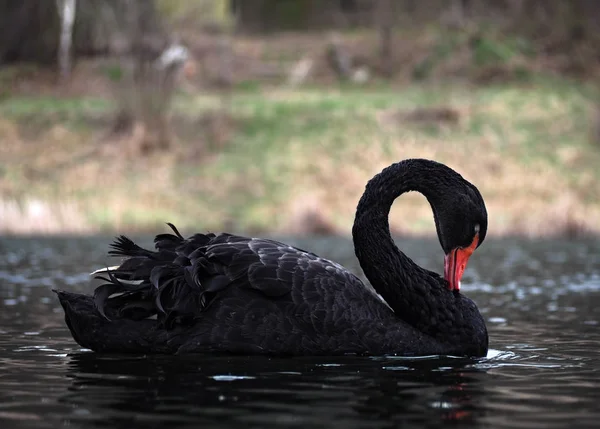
(461, 221)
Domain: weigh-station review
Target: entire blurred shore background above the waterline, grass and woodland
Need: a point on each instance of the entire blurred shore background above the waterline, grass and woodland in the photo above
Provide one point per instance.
(269, 116)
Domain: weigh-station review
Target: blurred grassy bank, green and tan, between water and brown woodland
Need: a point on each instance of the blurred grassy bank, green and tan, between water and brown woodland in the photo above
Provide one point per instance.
(298, 160)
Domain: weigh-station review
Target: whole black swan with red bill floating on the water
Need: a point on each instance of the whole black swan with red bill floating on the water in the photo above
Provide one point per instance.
(232, 294)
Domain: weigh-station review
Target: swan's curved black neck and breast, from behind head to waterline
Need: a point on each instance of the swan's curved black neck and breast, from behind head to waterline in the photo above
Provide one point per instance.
(417, 296)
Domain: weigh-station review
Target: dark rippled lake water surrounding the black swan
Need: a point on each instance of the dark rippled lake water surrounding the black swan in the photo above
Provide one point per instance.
(541, 300)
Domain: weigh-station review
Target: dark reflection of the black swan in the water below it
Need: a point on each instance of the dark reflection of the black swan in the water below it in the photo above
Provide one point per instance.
(267, 392)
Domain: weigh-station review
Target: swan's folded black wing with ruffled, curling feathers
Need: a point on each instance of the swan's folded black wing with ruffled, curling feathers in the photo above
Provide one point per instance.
(183, 277)
